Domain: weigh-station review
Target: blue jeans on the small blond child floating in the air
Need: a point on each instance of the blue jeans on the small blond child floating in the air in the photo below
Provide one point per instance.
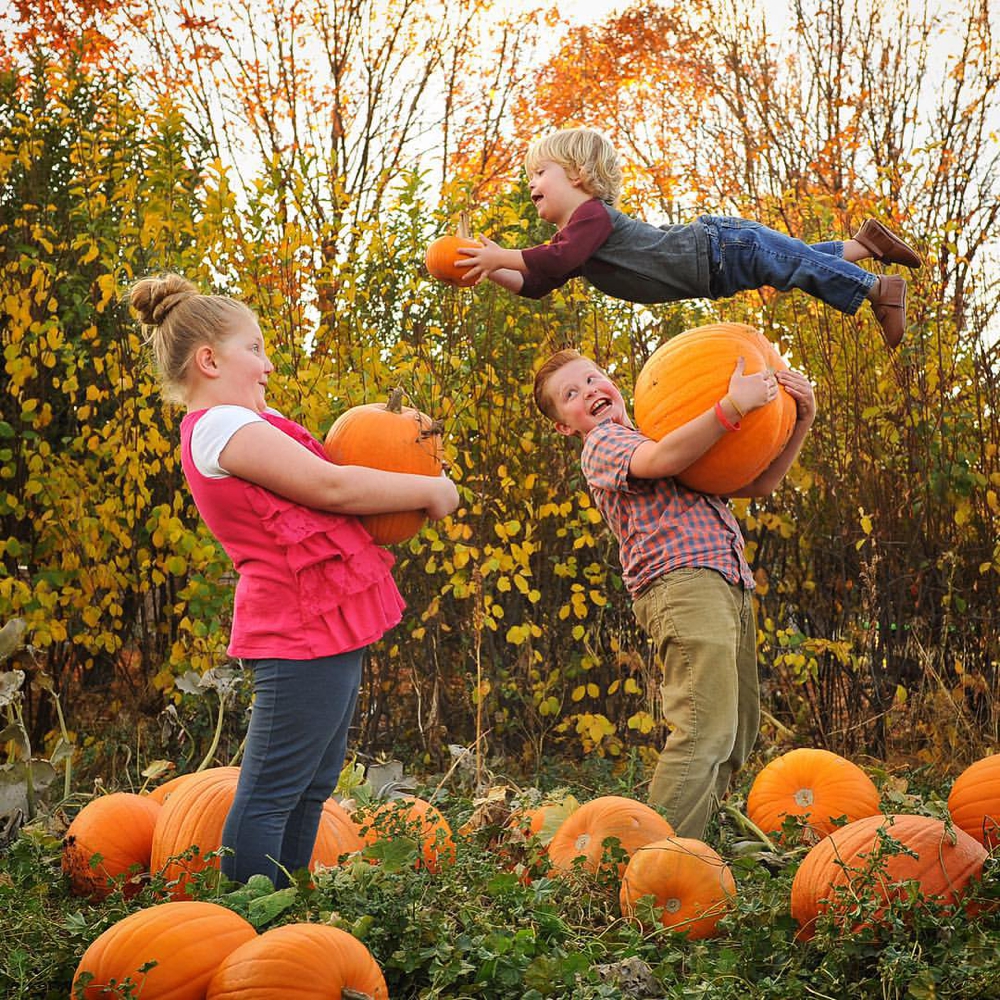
(746, 255)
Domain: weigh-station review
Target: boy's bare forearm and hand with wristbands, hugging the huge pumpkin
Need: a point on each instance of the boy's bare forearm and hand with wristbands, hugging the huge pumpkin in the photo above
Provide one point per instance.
(675, 451)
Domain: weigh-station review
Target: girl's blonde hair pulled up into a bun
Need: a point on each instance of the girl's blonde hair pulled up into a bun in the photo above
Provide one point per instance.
(177, 319)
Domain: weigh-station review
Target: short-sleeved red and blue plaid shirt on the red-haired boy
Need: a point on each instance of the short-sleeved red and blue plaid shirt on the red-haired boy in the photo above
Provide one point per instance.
(660, 524)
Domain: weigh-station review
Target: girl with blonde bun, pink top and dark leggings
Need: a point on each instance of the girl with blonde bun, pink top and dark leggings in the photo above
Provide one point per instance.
(313, 589)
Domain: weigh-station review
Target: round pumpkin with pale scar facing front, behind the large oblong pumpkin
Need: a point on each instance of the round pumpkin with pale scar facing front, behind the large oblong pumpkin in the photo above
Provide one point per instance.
(815, 785)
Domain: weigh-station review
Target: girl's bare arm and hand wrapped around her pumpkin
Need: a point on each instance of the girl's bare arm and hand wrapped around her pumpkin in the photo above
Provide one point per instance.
(264, 455)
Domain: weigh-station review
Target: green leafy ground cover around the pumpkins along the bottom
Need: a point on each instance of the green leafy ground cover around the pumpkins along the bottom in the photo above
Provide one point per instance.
(477, 929)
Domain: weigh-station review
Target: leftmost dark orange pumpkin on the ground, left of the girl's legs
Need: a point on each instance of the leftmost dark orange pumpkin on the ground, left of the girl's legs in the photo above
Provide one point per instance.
(117, 827)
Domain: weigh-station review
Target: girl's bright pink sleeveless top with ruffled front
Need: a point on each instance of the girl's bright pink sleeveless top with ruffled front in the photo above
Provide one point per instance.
(311, 583)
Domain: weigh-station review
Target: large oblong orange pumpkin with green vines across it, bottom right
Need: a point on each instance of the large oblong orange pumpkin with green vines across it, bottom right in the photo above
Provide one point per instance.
(849, 864)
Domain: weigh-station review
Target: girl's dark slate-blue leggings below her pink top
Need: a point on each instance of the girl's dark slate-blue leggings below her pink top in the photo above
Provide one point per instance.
(295, 751)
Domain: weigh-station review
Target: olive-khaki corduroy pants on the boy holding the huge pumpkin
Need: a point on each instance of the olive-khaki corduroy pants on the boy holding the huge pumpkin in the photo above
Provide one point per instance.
(705, 634)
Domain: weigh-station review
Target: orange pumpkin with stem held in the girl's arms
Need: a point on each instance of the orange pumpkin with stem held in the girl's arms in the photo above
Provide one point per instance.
(394, 438)
